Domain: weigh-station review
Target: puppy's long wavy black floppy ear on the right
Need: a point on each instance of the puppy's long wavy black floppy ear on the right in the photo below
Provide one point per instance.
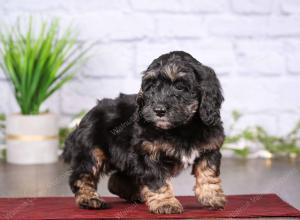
(211, 96)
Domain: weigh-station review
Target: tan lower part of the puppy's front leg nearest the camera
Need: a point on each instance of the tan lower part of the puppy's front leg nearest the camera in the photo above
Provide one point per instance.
(162, 200)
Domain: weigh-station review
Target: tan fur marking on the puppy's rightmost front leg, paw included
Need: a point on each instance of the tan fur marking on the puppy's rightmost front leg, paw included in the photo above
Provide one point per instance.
(208, 188)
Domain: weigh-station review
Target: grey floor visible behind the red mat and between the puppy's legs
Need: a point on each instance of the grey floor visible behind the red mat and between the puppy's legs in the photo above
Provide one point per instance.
(281, 176)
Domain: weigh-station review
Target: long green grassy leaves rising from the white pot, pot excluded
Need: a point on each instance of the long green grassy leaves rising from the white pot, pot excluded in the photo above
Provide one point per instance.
(39, 64)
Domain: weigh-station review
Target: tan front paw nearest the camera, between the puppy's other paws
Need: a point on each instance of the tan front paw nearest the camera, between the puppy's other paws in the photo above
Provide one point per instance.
(170, 206)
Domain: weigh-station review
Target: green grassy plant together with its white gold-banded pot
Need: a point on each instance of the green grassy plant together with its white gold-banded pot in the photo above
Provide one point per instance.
(37, 64)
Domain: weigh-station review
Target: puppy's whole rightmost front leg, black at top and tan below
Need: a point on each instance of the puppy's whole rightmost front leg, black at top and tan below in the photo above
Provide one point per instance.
(208, 188)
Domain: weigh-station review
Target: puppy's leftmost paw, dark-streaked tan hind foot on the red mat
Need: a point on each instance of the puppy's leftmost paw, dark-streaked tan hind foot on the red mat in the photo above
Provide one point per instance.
(90, 201)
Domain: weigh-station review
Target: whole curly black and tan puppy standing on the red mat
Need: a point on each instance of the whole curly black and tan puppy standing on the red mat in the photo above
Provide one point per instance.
(144, 140)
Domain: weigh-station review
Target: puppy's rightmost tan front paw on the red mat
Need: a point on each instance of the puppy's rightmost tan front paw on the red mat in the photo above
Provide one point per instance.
(211, 198)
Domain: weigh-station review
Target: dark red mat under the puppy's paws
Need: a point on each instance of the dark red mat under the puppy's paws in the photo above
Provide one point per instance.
(267, 205)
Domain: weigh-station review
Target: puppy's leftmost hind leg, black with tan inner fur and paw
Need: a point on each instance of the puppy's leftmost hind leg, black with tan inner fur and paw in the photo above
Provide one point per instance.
(86, 169)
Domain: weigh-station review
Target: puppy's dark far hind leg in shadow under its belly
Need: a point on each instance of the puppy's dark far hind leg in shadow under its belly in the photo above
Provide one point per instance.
(125, 187)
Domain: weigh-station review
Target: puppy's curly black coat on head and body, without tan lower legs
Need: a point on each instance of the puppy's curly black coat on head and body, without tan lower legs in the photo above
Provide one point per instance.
(177, 111)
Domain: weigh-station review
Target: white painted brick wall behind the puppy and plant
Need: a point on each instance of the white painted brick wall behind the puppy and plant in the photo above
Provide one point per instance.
(254, 46)
